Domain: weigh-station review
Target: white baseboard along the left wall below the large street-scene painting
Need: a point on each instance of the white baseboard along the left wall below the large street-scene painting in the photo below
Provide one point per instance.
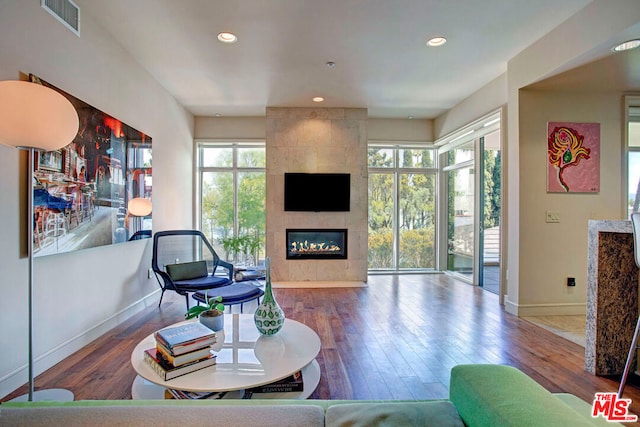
(19, 376)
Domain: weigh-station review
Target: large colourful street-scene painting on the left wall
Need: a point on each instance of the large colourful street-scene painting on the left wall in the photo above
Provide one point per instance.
(82, 191)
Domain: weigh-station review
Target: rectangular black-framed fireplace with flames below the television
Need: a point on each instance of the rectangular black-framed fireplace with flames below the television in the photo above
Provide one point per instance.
(317, 243)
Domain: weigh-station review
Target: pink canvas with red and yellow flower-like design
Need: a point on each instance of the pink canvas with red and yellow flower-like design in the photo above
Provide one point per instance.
(573, 157)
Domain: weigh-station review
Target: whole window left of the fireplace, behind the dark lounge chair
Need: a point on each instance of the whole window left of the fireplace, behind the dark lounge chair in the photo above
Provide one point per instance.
(231, 182)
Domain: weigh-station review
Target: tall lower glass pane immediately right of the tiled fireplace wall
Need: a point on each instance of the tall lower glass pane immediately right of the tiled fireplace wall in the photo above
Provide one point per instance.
(380, 221)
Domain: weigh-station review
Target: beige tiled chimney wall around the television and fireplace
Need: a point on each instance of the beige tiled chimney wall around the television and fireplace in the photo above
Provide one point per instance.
(317, 140)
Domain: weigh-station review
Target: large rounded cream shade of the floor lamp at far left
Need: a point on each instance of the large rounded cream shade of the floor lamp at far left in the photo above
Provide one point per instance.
(35, 116)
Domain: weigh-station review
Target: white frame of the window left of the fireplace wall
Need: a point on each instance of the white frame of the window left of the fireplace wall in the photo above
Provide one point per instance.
(232, 247)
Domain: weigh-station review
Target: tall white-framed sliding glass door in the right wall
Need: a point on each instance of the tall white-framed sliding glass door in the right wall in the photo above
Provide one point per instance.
(470, 197)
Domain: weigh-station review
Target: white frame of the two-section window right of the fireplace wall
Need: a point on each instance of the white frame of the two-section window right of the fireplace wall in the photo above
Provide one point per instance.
(396, 171)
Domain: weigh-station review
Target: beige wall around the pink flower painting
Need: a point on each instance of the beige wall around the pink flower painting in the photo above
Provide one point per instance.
(551, 252)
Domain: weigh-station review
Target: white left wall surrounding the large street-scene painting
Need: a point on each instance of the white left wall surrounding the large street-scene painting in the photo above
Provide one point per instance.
(80, 295)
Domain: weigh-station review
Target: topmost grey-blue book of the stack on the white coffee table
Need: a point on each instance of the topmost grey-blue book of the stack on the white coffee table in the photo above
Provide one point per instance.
(185, 338)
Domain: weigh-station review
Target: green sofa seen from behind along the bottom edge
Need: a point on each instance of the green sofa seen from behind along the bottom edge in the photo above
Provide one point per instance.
(480, 395)
